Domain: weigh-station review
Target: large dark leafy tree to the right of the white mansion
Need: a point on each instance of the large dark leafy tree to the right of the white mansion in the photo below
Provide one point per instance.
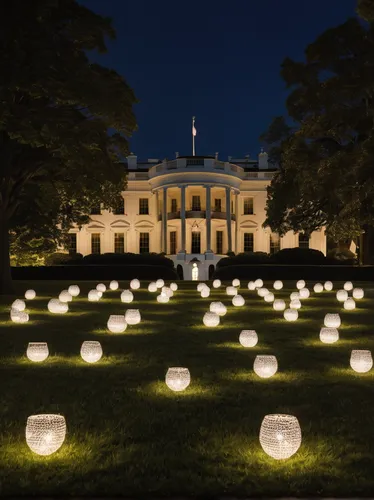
(326, 179)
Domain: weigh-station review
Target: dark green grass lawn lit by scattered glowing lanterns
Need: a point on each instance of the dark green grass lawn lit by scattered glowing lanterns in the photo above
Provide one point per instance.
(129, 435)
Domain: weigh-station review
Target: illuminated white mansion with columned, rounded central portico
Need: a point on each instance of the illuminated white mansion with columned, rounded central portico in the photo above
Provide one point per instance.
(193, 208)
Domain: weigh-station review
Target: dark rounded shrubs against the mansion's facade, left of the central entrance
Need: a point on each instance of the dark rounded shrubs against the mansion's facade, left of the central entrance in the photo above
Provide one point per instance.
(108, 259)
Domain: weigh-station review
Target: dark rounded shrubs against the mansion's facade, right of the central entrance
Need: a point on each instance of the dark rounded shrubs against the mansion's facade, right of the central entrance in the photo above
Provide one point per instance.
(290, 256)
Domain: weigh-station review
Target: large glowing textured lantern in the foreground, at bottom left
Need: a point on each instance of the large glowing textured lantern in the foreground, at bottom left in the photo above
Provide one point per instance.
(45, 433)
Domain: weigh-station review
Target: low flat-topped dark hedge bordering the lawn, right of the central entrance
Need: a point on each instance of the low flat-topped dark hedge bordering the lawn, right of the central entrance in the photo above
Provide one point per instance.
(296, 272)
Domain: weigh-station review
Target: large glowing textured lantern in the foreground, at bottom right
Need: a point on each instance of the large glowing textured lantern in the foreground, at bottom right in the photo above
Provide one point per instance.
(280, 436)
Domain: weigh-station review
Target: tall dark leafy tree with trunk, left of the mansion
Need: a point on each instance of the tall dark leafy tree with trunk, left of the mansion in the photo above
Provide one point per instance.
(64, 120)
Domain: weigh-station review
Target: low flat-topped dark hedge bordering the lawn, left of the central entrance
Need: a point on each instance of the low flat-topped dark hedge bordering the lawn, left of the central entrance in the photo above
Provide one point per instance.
(94, 272)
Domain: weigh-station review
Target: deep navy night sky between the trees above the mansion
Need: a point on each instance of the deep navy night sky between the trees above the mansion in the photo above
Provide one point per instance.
(216, 59)
